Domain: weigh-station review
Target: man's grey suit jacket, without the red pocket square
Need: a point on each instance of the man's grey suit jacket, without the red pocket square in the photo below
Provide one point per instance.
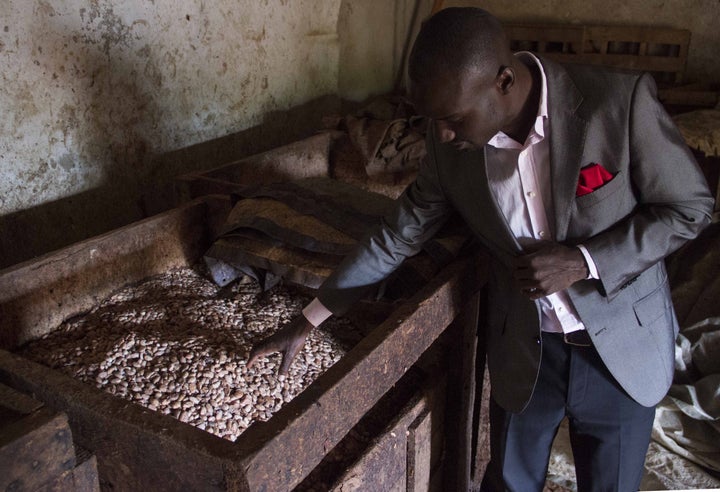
(657, 200)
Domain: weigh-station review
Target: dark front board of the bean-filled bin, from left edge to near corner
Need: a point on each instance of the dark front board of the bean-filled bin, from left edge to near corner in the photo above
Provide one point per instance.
(136, 448)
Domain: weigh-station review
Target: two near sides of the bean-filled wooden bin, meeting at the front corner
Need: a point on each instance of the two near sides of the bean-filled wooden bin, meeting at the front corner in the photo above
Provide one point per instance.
(138, 448)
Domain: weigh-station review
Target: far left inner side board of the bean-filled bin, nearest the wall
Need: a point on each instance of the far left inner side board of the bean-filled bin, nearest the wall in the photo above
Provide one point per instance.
(38, 295)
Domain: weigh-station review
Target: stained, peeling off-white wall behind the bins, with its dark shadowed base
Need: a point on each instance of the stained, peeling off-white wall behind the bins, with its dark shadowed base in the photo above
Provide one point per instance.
(98, 97)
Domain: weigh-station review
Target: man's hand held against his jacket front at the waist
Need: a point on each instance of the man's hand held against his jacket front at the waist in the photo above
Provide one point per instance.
(548, 269)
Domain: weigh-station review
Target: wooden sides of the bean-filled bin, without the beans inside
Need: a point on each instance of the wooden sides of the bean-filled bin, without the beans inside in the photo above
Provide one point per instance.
(137, 448)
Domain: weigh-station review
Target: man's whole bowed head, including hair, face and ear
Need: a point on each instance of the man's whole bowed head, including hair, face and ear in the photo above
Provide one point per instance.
(463, 75)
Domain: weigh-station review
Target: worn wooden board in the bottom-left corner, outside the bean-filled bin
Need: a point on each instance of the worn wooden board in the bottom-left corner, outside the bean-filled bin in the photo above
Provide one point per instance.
(35, 450)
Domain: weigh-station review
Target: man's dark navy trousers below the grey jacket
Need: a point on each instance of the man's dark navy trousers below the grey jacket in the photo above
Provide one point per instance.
(609, 431)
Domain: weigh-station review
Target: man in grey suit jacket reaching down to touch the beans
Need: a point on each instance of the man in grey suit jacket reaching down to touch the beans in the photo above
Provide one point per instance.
(577, 183)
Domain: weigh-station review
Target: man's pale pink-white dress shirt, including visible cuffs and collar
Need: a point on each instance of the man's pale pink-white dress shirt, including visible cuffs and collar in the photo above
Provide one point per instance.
(519, 176)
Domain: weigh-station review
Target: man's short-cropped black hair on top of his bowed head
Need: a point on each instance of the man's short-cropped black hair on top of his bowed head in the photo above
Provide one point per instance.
(458, 39)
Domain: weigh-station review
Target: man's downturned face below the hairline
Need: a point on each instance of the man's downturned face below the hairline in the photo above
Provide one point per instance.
(466, 110)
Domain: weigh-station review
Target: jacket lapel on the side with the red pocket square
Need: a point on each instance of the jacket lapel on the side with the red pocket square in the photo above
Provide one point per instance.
(567, 139)
